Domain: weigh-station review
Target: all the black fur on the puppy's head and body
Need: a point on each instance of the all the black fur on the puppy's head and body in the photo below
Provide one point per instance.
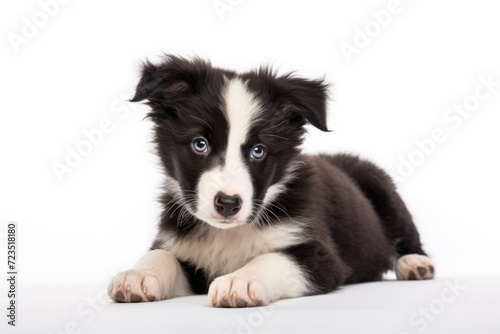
(355, 217)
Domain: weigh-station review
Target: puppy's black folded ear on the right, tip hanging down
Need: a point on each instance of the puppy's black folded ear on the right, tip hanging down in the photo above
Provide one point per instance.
(304, 98)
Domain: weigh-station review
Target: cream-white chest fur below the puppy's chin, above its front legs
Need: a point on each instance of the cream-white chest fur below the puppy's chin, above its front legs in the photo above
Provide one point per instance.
(221, 252)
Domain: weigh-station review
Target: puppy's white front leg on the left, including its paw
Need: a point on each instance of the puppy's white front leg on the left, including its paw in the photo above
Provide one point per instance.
(156, 276)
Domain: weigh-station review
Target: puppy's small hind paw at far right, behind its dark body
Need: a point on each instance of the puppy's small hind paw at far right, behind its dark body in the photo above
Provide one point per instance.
(414, 267)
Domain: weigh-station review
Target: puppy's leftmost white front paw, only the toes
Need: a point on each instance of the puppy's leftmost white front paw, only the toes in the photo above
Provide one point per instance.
(133, 286)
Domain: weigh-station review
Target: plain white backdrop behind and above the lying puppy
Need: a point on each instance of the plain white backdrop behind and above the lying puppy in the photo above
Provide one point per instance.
(80, 66)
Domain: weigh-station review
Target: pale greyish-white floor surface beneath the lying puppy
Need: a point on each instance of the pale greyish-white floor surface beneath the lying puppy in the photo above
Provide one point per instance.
(388, 307)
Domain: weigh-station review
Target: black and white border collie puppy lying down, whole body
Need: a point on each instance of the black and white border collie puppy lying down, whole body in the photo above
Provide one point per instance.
(247, 218)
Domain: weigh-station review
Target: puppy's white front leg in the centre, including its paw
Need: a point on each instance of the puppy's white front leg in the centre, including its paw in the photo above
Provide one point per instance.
(266, 278)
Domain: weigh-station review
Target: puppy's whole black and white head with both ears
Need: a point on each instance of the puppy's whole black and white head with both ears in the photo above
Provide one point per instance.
(228, 140)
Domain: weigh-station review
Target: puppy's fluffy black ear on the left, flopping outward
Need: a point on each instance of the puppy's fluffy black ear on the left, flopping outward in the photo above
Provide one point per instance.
(170, 80)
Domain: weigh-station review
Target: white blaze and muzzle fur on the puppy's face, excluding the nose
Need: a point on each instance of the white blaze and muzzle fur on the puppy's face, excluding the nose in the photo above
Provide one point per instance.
(232, 176)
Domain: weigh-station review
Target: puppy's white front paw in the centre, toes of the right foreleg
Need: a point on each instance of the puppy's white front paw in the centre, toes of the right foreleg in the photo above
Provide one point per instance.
(236, 290)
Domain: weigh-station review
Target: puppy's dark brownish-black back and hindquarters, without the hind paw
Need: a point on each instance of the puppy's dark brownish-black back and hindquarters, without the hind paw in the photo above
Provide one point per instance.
(367, 219)
